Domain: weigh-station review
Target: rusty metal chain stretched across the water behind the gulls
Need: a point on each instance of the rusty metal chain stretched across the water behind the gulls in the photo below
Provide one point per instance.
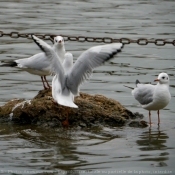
(140, 41)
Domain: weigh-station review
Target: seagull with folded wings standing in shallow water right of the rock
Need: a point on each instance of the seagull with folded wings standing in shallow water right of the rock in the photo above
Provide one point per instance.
(153, 97)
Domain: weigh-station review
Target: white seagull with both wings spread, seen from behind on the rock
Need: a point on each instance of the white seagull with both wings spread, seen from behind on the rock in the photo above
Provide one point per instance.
(68, 76)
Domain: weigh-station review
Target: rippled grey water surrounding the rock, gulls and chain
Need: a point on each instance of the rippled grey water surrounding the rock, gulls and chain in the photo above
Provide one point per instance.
(125, 150)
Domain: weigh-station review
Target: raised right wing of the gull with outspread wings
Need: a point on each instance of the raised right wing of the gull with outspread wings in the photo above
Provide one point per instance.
(89, 60)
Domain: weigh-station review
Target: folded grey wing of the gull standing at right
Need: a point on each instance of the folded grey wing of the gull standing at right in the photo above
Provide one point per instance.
(143, 93)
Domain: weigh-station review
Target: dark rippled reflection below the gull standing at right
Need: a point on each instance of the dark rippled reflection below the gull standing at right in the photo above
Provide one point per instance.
(154, 141)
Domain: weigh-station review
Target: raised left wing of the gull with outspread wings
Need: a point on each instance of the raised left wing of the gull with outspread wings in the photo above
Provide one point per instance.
(56, 65)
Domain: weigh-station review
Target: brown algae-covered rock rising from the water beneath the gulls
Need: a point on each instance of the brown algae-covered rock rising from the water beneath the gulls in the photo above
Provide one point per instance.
(92, 110)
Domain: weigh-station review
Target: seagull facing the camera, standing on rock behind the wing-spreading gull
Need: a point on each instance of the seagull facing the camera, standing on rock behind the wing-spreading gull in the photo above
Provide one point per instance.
(39, 64)
